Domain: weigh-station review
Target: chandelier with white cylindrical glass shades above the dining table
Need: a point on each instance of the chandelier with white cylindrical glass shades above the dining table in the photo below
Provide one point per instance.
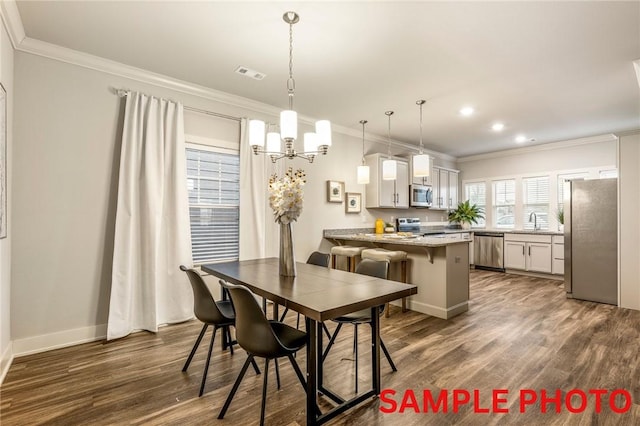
(314, 143)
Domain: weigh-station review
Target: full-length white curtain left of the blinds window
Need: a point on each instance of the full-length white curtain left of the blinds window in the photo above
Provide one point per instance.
(152, 233)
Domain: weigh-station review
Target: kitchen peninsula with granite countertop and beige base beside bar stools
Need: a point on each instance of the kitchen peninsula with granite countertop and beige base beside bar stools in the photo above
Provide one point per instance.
(438, 265)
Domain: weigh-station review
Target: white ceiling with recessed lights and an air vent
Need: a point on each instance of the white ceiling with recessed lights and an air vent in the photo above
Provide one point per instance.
(551, 71)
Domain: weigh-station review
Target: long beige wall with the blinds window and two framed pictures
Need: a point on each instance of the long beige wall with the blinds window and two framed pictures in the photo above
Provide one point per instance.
(65, 173)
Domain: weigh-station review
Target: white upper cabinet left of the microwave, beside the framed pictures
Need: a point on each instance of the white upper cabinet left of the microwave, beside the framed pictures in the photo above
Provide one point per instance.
(387, 193)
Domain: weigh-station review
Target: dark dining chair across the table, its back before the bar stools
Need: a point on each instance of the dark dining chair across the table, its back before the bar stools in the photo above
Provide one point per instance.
(374, 268)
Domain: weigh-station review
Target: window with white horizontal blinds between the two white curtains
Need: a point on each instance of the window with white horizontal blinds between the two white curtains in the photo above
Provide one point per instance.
(213, 182)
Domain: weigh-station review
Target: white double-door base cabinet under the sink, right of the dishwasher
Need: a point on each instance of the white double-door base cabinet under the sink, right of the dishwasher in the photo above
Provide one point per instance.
(527, 252)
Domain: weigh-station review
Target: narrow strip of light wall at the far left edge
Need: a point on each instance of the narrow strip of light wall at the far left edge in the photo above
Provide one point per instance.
(6, 77)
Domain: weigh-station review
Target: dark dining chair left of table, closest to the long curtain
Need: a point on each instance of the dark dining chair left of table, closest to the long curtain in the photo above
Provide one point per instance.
(210, 312)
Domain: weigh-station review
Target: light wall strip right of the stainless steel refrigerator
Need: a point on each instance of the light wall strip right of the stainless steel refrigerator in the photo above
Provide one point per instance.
(629, 202)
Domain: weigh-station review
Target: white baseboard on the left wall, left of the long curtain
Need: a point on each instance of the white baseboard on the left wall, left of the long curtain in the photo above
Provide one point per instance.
(61, 339)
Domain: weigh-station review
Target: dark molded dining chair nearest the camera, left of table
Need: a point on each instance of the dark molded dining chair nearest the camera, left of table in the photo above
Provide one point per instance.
(261, 338)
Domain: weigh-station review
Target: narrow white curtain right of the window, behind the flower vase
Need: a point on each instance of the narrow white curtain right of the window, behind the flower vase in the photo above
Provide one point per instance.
(254, 200)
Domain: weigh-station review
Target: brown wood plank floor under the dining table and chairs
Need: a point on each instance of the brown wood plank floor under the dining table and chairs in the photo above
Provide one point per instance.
(520, 333)
